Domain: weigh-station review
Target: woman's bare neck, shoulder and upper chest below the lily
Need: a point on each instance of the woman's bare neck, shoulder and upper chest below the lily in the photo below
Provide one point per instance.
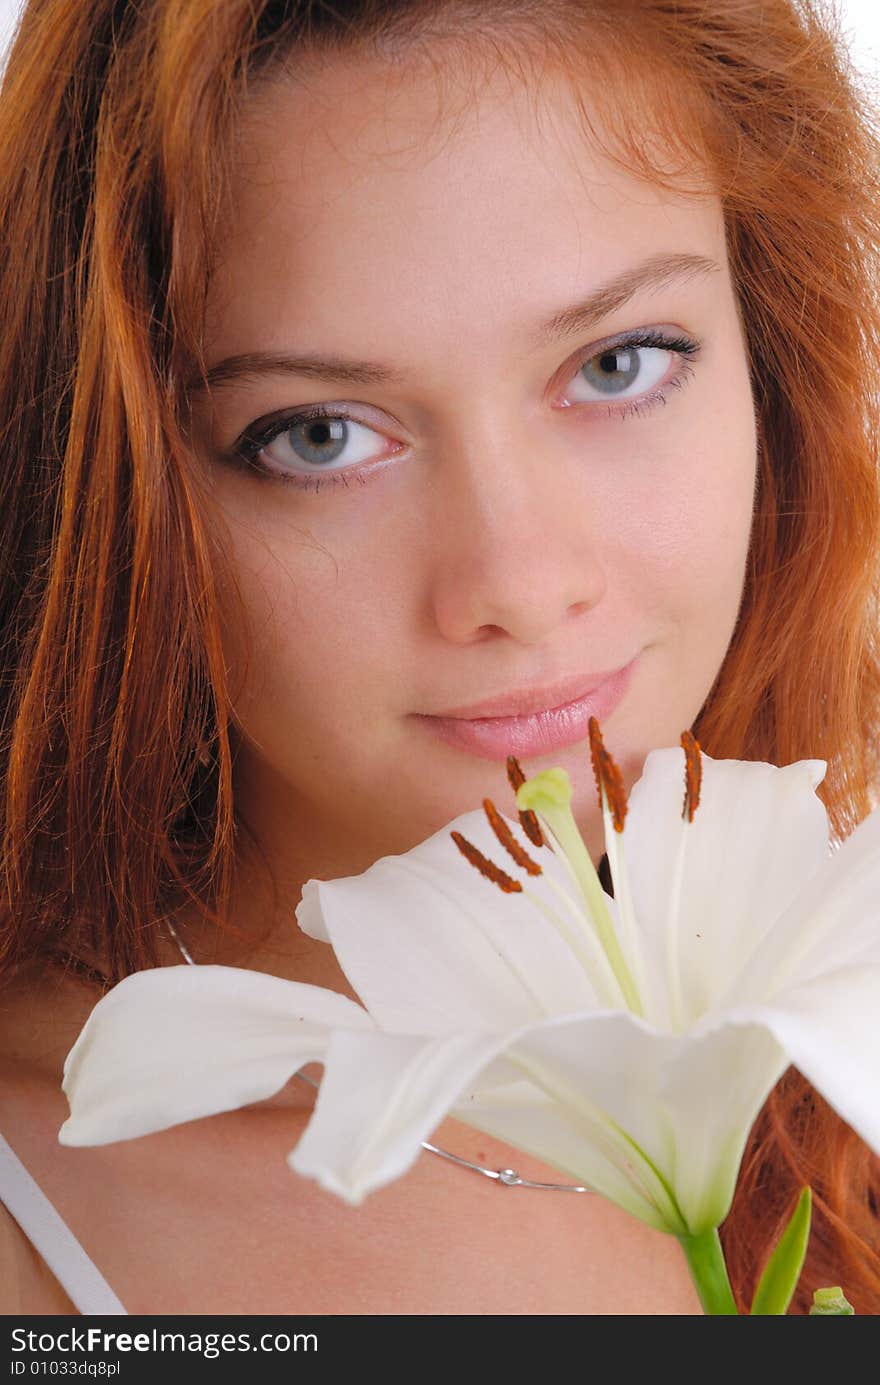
(210, 1195)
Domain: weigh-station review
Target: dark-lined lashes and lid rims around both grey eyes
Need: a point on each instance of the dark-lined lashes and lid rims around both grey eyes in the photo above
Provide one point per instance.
(253, 443)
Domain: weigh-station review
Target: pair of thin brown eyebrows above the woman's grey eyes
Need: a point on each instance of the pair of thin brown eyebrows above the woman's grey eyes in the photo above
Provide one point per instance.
(609, 298)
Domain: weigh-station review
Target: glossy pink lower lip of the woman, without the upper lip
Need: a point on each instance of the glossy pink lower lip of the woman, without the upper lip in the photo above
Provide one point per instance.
(541, 733)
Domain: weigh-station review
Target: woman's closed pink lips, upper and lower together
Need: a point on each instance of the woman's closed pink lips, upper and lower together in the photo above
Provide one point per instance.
(534, 724)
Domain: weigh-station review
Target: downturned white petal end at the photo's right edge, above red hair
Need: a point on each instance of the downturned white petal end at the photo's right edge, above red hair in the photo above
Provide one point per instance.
(831, 1028)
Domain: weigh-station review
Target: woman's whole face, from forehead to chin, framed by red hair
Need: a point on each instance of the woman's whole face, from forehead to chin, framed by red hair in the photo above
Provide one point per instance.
(530, 462)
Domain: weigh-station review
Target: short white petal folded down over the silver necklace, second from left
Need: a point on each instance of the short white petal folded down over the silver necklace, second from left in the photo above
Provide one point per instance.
(380, 1098)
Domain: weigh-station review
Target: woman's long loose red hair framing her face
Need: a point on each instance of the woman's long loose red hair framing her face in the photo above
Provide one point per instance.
(117, 128)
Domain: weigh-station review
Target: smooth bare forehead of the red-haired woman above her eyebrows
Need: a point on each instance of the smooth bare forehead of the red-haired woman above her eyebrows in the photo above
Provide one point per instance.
(430, 193)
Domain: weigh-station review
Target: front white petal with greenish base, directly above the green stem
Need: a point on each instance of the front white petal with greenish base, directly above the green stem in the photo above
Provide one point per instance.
(685, 1103)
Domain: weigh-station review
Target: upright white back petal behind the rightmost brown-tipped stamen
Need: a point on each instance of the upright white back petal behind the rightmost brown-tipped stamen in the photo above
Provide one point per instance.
(759, 834)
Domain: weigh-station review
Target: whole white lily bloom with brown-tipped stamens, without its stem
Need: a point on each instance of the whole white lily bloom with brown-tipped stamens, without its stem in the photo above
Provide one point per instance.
(627, 1042)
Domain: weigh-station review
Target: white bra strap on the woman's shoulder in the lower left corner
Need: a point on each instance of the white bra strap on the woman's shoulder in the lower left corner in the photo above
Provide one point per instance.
(53, 1239)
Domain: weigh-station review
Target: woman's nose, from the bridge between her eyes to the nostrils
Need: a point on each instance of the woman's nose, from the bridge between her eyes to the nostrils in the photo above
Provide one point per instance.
(513, 548)
